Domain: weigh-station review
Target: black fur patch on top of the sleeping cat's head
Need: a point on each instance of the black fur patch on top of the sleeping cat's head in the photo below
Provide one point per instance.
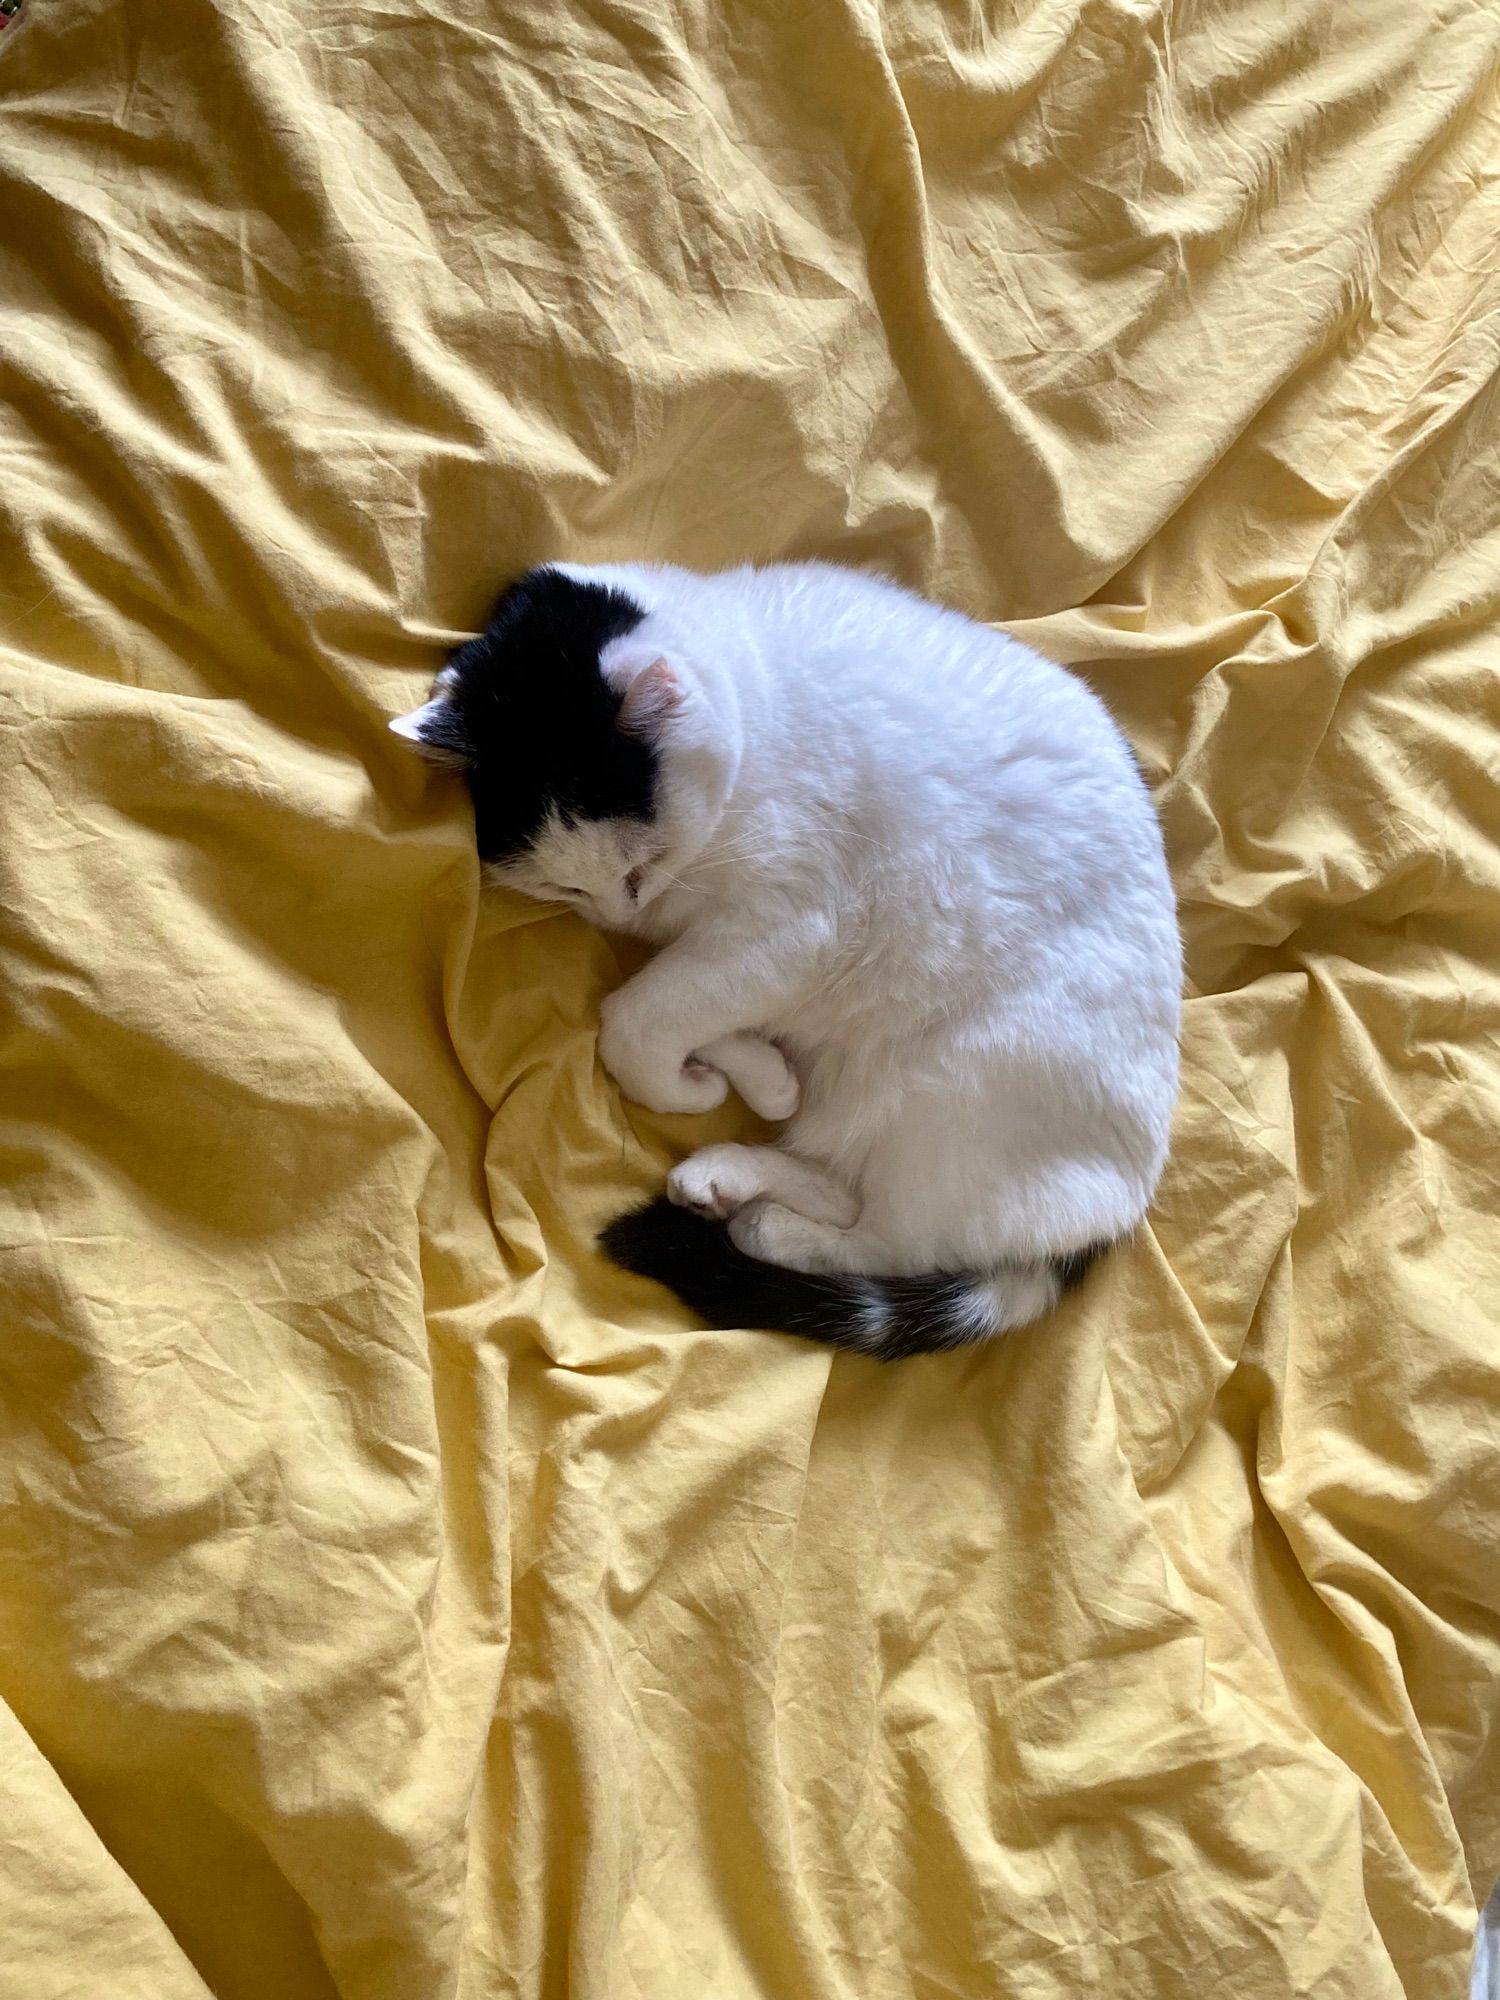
(535, 723)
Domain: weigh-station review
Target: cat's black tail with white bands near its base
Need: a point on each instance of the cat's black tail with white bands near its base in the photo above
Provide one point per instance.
(883, 1317)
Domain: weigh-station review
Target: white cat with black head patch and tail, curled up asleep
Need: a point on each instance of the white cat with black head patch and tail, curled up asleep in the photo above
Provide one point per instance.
(911, 897)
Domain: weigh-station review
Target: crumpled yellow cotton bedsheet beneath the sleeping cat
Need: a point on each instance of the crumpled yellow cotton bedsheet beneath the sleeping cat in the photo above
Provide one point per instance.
(395, 1603)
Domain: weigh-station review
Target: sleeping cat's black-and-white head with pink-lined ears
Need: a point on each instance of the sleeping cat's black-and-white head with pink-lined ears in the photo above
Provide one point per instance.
(577, 739)
